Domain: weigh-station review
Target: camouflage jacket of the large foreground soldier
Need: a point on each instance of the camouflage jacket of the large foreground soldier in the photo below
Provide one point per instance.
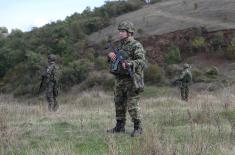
(134, 53)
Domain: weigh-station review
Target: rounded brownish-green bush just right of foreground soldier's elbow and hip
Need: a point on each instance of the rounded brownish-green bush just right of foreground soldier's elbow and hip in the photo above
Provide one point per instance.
(154, 74)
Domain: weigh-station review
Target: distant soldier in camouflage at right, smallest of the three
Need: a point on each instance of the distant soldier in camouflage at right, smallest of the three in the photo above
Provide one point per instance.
(185, 78)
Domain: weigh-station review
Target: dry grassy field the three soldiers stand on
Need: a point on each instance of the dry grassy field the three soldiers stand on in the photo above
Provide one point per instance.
(204, 125)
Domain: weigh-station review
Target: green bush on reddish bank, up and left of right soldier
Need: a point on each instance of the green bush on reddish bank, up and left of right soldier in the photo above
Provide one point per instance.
(173, 55)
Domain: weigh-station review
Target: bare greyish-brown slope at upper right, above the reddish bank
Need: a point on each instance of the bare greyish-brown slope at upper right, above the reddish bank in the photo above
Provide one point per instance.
(172, 15)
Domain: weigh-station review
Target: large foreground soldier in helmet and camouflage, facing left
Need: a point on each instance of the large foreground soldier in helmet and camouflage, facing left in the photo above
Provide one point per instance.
(127, 89)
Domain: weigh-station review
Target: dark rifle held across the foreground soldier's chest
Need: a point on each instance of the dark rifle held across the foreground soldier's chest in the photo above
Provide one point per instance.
(119, 59)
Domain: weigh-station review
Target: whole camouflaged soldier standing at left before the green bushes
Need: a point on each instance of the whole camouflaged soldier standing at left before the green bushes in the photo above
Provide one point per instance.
(51, 78)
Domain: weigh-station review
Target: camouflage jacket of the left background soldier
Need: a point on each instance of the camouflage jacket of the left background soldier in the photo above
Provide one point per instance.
(51, 73)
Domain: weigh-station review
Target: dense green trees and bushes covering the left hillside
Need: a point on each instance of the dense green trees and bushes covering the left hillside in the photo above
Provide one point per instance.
(23, 55)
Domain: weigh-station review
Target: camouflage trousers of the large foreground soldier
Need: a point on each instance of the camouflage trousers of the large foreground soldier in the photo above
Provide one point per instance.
(126, 98)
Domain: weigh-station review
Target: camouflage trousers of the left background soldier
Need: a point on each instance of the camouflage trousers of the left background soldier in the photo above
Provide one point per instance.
(51, 94)
